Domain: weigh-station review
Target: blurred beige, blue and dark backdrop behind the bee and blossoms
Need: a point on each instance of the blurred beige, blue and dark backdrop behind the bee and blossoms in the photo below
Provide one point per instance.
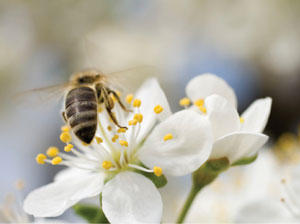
(252, 44)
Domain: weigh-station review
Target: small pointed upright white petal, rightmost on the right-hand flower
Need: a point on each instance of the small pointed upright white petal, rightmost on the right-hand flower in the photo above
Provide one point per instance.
(256, 116)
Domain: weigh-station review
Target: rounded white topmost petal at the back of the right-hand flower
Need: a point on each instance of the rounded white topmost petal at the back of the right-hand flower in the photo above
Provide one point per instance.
(208, 84)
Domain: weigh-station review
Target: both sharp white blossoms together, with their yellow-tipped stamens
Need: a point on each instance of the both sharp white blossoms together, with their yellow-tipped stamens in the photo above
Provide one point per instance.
(120, 164)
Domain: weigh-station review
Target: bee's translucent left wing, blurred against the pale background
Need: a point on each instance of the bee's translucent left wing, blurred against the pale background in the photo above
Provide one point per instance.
(41, 96)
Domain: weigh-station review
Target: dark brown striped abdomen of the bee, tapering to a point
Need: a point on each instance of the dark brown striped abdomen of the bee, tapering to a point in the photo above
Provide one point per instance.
(81, 112)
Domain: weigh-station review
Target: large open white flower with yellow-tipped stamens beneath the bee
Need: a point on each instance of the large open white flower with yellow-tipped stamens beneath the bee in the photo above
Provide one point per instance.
(178, 145)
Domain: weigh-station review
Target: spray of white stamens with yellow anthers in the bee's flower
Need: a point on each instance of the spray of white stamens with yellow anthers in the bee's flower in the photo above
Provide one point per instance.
(112, 150)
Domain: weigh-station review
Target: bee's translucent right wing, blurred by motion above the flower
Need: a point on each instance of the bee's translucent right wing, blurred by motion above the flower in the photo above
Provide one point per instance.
(130, 79)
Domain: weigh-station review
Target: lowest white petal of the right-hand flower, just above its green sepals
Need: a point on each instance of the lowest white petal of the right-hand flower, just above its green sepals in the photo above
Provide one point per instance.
(238, 145)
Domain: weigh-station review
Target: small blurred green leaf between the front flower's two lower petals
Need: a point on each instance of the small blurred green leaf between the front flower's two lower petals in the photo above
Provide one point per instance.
(90, 213)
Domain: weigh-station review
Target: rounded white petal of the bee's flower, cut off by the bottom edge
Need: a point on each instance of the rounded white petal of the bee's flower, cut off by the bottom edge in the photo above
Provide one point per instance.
(131, 198)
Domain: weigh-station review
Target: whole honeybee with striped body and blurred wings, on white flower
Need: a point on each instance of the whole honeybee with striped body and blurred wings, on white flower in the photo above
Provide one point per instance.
(87, 91)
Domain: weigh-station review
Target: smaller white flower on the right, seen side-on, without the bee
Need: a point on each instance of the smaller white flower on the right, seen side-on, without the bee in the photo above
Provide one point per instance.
(235, 137)
